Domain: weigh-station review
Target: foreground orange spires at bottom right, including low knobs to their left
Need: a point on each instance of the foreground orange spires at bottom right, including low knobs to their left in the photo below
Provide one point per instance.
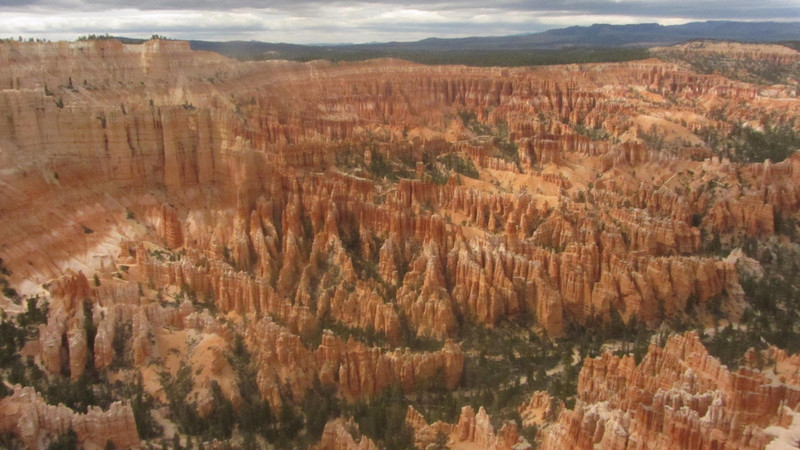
(678, 396)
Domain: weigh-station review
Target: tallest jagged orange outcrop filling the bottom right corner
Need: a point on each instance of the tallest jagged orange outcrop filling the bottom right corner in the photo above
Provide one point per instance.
(678, 396)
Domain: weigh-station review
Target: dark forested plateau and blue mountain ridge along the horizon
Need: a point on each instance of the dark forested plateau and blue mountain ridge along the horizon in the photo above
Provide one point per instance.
(595, 43)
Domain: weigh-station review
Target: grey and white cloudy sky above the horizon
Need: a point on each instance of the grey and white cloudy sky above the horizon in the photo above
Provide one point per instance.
(317, 21)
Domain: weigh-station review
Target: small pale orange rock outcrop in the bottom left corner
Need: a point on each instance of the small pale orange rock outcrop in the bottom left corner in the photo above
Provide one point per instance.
(26, 415)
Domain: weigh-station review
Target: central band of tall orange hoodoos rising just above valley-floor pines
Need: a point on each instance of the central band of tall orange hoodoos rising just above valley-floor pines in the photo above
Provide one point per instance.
(312, 274)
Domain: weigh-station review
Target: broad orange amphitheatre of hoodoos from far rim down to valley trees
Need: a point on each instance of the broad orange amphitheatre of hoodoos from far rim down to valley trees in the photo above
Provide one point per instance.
(245, 189)
